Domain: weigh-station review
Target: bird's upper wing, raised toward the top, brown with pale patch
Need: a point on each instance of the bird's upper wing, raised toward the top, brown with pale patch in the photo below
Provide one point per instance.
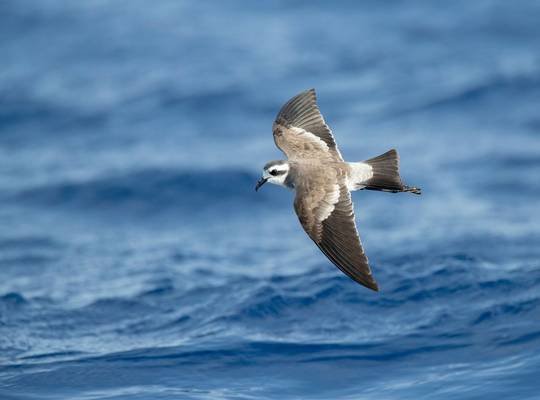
(300, 131)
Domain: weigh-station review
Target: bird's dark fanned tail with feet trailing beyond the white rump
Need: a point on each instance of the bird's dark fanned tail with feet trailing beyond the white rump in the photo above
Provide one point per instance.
(386, 177)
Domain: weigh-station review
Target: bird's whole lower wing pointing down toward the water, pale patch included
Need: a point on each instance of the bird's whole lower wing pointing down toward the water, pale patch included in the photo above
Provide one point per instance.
(327, 215)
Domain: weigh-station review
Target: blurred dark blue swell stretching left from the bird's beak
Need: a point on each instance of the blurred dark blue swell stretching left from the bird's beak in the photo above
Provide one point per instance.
(152, 190)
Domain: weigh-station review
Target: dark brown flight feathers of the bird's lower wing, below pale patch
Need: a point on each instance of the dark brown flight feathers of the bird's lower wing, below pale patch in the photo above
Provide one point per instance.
(337, 237)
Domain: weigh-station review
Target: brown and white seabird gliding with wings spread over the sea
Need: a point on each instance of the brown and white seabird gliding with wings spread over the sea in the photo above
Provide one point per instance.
(323, 181)
